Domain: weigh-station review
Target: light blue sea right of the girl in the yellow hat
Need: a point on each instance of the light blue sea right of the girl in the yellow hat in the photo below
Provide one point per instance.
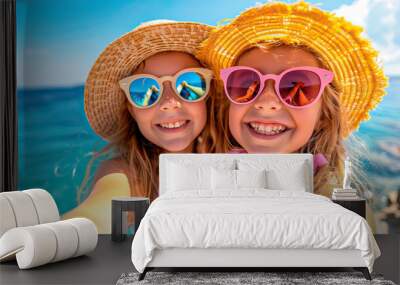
(381, 135)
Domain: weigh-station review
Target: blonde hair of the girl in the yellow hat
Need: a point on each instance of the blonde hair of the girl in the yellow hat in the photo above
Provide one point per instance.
(327, 137)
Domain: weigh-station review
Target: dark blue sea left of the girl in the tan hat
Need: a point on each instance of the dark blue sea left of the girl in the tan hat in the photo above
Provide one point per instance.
(55, 142)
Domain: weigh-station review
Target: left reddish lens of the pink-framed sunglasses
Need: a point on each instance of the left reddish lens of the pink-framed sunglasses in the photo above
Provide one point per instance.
(243, 85)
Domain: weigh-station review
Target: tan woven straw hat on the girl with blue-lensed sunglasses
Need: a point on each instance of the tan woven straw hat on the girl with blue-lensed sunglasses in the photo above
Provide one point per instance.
(103, 98)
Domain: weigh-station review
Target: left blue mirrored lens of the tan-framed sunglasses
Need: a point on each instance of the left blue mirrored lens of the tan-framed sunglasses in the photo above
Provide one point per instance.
(144, 91)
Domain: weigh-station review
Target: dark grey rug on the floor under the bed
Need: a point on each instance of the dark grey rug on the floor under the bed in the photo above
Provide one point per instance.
(231, 278)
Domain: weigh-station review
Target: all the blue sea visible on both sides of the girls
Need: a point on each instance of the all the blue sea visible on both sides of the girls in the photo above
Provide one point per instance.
(56, 143)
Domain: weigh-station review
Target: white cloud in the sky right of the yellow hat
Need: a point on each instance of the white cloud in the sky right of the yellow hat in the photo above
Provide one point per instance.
(380, 19)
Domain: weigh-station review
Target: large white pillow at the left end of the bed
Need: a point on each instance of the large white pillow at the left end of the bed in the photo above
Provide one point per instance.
(181, 177)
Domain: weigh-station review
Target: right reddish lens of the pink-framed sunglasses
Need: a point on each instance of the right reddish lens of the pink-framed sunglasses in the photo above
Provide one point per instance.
(299, 87)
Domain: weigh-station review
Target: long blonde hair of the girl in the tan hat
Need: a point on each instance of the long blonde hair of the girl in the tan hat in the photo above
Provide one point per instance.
(142, 156)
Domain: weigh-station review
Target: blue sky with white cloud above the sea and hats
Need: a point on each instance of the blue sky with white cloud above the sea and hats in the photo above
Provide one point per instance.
(59, 40)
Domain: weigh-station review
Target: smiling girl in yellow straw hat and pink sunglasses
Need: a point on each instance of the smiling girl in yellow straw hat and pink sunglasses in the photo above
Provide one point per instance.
(293, 78)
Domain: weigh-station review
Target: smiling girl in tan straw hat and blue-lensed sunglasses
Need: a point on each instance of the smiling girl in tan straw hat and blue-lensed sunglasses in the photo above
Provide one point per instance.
(146, 94)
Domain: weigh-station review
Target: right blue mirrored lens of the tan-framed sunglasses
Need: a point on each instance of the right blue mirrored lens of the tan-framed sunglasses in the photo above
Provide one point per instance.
(191, 86)
